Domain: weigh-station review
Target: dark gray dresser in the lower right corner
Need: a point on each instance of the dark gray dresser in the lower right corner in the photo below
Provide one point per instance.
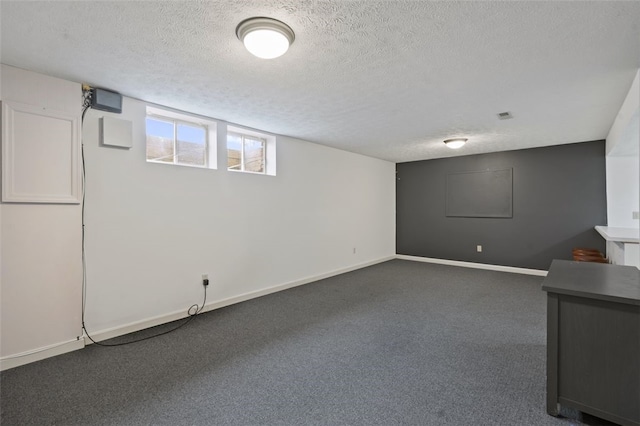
(593, 340)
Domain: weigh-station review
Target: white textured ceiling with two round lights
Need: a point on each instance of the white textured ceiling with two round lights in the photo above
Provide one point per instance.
(388, 79)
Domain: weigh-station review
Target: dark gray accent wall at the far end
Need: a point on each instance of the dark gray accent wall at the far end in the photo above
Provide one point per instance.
(559, 195)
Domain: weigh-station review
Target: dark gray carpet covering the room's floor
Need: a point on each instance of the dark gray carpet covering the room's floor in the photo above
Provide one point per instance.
(399, 343)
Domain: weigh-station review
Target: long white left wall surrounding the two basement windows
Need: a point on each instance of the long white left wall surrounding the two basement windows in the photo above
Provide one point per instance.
(153, 229)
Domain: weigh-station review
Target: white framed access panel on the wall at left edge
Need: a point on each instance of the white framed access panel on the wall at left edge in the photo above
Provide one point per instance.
(40, 155)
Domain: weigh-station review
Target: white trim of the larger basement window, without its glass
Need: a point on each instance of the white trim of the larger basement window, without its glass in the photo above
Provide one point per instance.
(211, 158)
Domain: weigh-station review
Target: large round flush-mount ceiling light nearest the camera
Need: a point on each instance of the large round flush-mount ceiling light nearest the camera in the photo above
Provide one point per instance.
(265, 38)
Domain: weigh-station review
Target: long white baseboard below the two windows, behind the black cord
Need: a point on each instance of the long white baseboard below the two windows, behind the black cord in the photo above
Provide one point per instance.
(163, 319)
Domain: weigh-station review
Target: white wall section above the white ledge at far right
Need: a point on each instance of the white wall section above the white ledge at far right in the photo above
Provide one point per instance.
(623, 164)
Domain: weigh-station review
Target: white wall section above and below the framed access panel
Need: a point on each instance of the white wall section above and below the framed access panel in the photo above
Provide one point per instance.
(41, 269)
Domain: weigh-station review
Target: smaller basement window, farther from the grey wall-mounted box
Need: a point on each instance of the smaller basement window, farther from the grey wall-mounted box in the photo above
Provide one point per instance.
(250, 152)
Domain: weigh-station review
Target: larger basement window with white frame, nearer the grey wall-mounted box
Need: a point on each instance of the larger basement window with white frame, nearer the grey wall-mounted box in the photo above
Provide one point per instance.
(180, 139)
